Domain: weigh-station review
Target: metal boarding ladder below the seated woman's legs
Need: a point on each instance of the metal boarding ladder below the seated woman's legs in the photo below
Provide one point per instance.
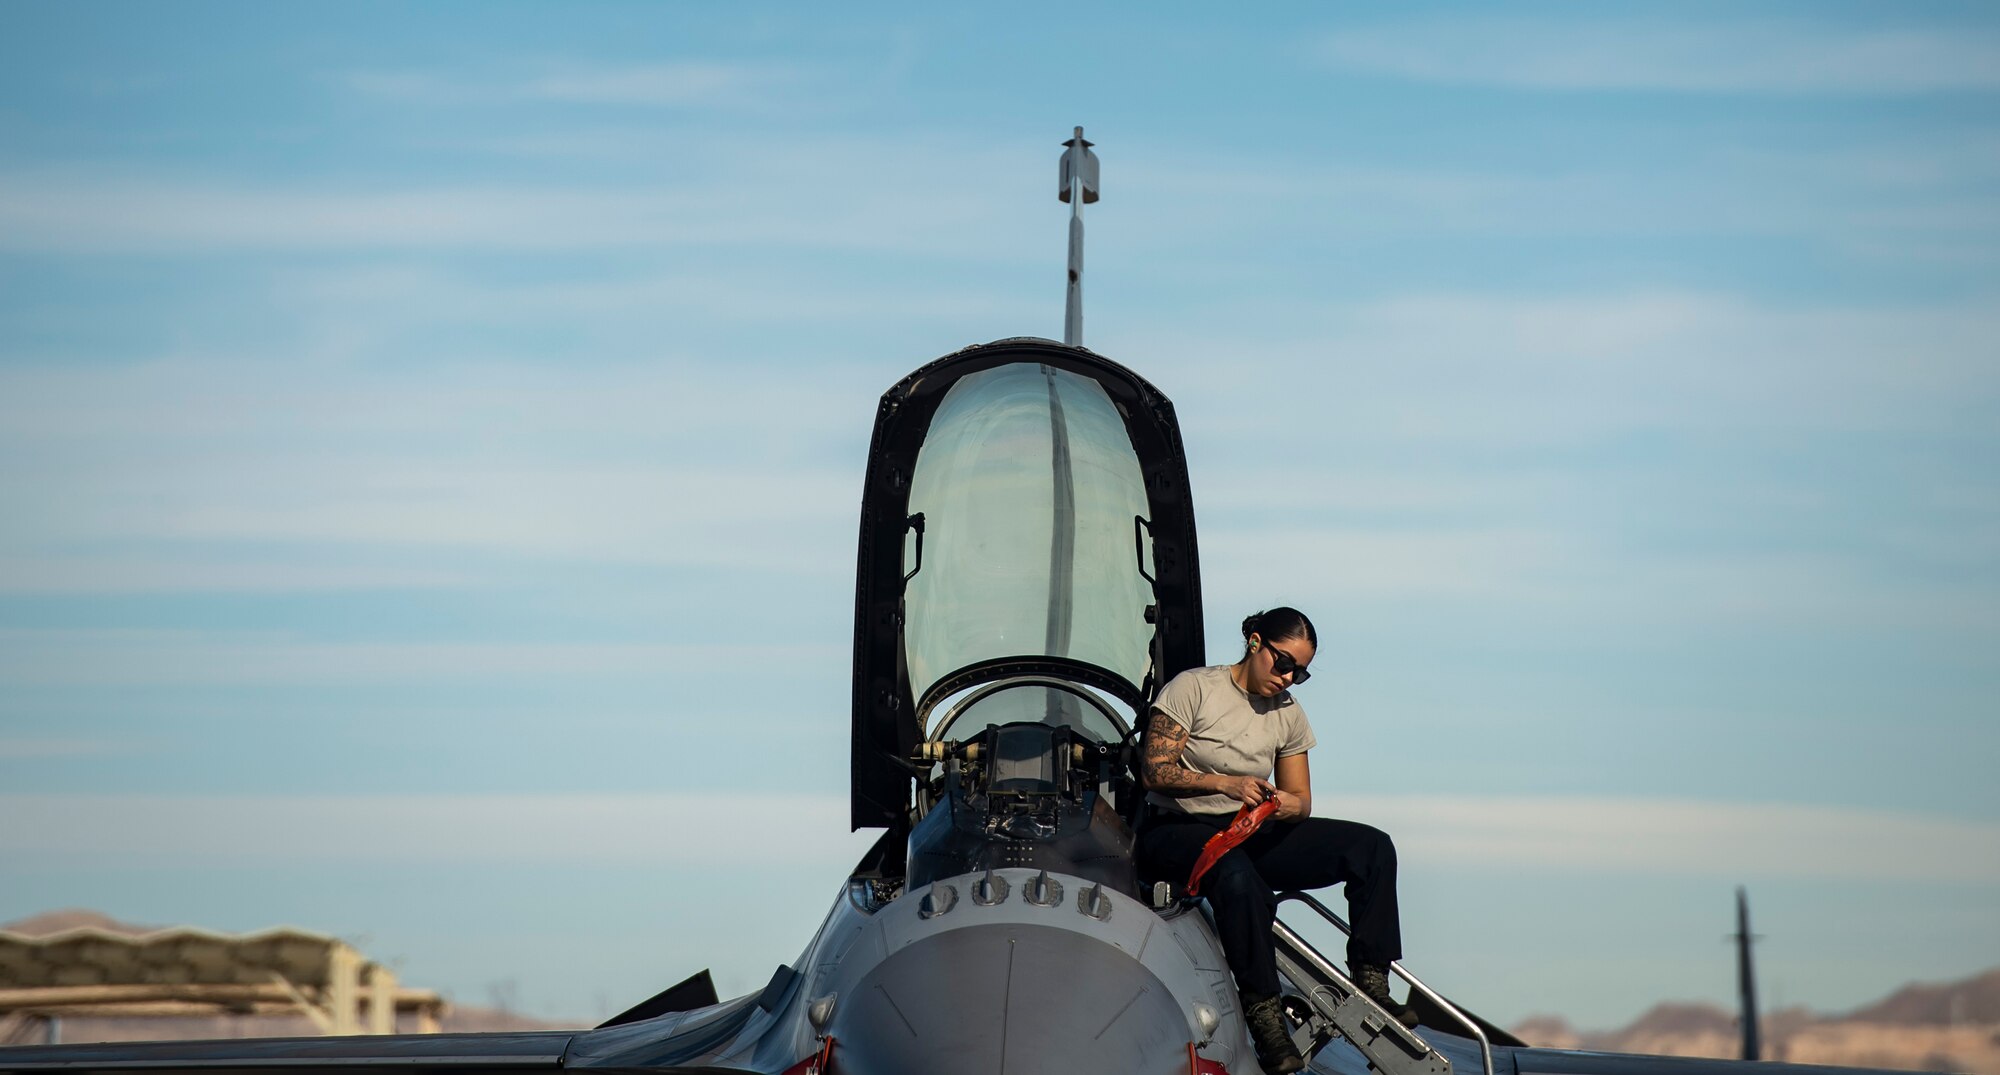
(1329, 1004)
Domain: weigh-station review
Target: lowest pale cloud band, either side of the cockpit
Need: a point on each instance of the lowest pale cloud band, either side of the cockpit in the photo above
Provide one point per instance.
(1677, 838)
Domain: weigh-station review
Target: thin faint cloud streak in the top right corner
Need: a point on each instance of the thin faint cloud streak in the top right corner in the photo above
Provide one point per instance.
(1671, 57)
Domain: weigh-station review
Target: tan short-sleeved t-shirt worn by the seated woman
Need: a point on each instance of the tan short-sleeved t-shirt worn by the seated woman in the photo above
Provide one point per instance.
(1231, 732)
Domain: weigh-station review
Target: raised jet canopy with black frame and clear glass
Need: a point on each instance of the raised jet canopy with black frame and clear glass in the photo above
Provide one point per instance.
(1025, 515)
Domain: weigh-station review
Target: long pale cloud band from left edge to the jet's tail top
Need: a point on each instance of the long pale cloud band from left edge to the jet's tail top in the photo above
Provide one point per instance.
(751, 203)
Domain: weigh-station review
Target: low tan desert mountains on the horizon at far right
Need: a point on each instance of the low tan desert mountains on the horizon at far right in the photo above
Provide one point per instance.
(1919, 1028)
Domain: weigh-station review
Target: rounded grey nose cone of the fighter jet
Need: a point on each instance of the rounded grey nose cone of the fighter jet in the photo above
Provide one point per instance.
(1011, 1000)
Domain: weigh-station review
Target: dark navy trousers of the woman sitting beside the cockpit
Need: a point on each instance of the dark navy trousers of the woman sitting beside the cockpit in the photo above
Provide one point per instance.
(1309, 854)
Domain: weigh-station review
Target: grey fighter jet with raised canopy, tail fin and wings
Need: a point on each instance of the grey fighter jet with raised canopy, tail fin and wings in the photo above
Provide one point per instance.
(1027, 582)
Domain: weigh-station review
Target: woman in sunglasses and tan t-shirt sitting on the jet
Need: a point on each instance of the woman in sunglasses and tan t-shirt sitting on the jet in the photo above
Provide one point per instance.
(1233, 736)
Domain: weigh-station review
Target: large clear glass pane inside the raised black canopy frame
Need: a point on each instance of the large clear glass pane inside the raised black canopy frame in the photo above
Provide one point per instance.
(1029, 491)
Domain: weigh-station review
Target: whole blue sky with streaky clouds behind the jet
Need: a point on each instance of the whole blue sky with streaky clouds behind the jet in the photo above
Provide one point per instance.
(431, 443)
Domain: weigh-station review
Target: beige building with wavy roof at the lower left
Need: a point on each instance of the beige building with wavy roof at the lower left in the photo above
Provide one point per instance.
(79, 976)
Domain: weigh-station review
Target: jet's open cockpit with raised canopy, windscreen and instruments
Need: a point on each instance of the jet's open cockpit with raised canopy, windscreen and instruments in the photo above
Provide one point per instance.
(1027, 580)
